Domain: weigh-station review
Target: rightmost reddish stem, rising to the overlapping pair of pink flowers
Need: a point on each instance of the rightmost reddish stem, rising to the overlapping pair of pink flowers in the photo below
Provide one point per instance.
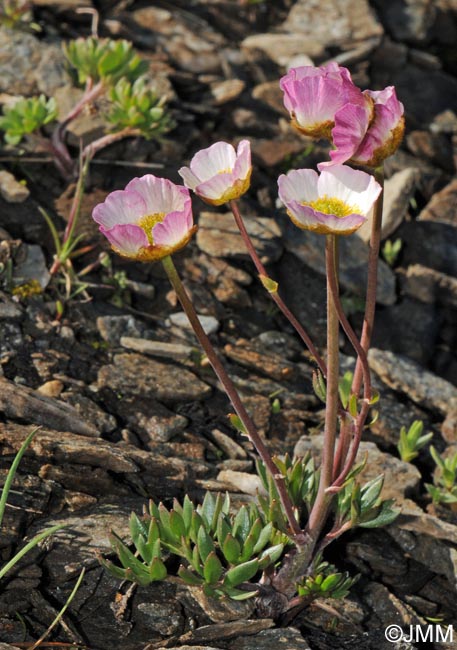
(370, 302)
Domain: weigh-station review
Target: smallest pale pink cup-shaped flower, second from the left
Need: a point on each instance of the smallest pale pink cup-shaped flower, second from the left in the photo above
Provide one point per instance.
(218, 174)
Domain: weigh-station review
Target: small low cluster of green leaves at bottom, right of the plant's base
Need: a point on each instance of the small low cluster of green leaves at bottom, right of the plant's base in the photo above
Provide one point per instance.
(325, 582)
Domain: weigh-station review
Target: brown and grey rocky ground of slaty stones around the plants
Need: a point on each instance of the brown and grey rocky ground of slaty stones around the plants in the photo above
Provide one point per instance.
(128, 411)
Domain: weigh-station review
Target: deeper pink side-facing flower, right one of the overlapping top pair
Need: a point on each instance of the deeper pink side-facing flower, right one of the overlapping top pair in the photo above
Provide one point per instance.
(364, 141)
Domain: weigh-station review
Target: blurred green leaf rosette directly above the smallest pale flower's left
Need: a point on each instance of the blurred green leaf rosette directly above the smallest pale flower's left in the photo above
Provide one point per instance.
(136, 106)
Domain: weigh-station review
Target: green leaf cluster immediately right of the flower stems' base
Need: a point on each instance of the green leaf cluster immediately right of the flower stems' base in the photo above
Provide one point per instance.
(361, 505)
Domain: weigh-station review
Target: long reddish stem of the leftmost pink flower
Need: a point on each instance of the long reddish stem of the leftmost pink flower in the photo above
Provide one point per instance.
(232, 393)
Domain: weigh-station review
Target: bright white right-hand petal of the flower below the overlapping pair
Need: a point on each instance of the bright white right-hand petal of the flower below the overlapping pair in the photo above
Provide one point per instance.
(353, 187)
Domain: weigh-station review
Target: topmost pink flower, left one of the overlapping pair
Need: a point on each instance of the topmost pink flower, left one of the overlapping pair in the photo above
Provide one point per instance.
(314, 95)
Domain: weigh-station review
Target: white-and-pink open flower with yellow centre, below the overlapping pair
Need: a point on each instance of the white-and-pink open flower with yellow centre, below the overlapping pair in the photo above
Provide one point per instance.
(336, 202)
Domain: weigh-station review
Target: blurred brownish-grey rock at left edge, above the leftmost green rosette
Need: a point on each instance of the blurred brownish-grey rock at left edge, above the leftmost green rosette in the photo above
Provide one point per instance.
(29, 66)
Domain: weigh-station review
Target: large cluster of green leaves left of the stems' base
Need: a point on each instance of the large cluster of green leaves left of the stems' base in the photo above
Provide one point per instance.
(222, 552)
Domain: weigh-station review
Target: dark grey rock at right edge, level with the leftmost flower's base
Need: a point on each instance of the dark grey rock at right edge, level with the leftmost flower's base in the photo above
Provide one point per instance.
(430, 244)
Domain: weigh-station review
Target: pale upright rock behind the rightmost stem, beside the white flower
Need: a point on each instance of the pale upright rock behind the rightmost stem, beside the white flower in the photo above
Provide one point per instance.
(398, 192)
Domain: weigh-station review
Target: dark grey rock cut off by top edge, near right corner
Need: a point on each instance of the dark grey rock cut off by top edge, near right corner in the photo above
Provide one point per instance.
(408, 20)
